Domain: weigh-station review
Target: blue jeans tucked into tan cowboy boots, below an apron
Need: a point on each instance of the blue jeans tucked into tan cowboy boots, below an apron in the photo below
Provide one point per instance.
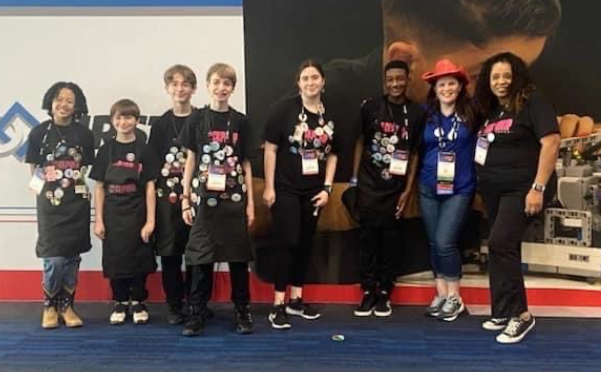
(59, 273)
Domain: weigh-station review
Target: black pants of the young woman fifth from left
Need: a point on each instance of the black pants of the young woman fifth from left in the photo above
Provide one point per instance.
(295, 226)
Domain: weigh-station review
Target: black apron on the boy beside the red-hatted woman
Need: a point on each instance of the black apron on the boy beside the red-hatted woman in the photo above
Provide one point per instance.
(378, 190)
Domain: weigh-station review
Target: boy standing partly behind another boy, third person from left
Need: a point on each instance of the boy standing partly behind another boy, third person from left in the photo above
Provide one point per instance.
(171, 231)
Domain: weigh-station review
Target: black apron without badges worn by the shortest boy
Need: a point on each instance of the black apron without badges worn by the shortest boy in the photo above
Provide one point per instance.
(124, 253)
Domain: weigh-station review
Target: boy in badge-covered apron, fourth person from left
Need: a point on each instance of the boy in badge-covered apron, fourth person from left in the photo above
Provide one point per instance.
(218, 201)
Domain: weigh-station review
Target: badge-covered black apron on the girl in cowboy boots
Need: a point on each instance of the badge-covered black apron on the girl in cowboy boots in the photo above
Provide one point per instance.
(63, 215)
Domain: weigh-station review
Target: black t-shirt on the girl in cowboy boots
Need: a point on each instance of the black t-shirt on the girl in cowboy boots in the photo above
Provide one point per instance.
(44, 139)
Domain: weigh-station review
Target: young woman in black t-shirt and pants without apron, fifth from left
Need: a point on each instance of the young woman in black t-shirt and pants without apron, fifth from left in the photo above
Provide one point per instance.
(300, 162)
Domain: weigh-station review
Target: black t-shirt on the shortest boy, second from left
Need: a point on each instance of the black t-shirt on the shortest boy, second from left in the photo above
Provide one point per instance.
(133, 155)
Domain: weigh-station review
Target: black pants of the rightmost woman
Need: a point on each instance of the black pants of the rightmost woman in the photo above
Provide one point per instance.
(507, 225)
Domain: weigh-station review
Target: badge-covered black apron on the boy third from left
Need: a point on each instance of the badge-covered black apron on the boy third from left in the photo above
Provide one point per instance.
(171, 232)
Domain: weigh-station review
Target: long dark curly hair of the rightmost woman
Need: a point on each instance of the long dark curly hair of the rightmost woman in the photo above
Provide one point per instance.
(519, 91)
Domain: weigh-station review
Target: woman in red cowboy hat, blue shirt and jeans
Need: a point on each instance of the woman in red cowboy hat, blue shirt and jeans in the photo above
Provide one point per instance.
(447, 180)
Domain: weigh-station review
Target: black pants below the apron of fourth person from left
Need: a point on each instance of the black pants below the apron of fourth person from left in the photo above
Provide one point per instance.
(201, 284)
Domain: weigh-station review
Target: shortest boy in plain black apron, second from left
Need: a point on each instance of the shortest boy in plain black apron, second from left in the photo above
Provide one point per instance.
(125, 176)
